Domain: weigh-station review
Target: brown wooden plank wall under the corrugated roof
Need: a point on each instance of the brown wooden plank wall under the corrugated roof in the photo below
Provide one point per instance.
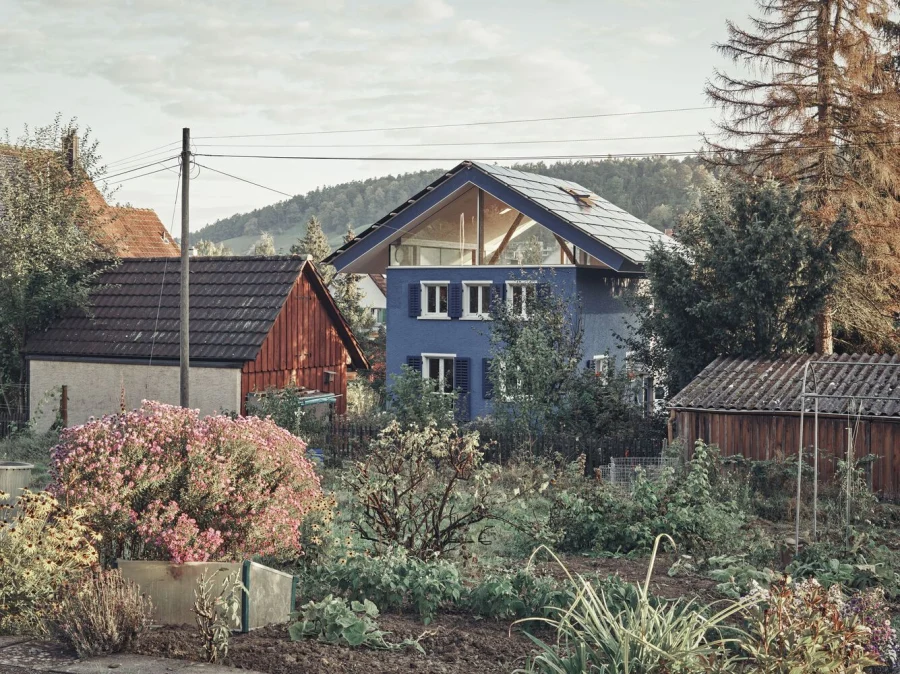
(773, 436)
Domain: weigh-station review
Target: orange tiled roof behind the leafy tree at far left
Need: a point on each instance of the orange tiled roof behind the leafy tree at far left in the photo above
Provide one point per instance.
(124, 231)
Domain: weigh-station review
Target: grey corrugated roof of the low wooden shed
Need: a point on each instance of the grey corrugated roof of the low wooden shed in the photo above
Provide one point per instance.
(775, 385)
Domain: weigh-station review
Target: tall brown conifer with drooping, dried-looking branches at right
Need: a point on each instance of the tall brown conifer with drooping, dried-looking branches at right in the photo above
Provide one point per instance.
(819, 108)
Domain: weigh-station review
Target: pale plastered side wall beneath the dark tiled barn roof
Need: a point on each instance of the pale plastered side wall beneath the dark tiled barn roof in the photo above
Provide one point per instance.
(95, 389)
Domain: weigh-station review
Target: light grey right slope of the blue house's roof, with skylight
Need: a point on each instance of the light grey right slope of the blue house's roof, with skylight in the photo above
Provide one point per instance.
(629, 236)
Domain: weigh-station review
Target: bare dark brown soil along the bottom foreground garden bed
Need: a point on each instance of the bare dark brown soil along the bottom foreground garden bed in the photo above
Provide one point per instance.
(454, 644)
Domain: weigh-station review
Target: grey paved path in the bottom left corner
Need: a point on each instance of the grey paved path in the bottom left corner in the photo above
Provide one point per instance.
(20, 655)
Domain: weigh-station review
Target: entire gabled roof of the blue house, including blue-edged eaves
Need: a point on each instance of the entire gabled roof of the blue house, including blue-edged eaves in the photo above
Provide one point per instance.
(580, 216)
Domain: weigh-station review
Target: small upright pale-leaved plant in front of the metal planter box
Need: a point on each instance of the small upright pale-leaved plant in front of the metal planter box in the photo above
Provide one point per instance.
(216, 609)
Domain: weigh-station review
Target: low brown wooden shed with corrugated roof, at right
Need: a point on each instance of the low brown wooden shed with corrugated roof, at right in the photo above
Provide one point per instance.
(752, 407)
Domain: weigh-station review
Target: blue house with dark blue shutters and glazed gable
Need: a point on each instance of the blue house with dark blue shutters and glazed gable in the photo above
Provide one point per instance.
(482, 231)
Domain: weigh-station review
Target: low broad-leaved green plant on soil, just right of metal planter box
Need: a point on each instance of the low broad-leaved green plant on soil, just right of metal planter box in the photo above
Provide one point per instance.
(334, 621)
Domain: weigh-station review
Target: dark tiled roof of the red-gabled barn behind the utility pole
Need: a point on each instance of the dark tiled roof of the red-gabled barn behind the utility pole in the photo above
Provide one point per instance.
(234, 302)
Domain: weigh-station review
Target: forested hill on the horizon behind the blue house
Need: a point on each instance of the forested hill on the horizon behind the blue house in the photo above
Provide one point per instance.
(656, 190)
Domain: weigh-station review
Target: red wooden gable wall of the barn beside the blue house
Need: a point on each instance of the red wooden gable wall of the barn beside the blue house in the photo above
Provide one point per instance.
(302, 344)
